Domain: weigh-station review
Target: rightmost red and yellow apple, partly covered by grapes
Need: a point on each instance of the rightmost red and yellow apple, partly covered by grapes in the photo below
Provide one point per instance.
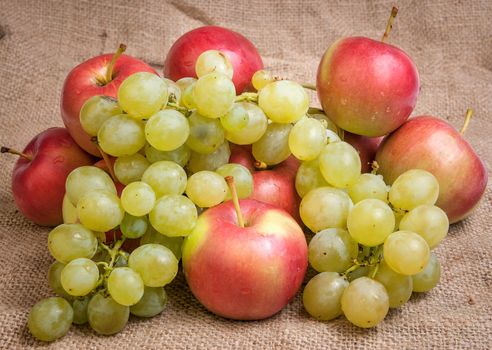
(432, 144)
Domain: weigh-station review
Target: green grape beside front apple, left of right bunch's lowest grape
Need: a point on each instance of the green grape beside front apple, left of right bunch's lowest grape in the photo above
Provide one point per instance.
(322, 295)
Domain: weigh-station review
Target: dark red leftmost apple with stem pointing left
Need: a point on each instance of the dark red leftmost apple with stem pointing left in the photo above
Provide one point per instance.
(38, 179)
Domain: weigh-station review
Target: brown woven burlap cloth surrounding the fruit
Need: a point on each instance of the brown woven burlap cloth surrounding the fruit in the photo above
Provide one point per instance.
(451, 43)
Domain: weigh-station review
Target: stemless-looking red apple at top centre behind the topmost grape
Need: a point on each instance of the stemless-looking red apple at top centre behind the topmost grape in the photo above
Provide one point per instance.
(245, 59)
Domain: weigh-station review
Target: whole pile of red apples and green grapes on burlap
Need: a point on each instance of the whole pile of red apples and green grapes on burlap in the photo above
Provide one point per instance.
(223, 167)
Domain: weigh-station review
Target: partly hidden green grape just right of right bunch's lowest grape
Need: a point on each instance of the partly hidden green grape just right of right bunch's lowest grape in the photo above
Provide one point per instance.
(398, 287)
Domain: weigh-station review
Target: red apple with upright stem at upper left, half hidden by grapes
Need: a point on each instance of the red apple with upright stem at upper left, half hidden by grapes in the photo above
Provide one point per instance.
(89, 79)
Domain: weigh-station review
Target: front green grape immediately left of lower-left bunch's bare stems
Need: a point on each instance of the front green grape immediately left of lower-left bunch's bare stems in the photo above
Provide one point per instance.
(79, 277)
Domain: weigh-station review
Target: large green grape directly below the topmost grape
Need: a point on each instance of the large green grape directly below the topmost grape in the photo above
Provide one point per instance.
(214, 95)
